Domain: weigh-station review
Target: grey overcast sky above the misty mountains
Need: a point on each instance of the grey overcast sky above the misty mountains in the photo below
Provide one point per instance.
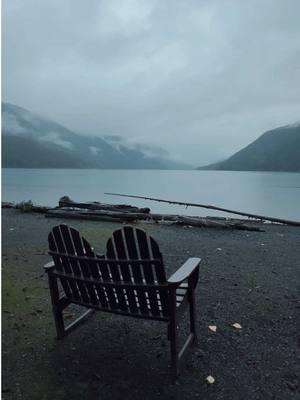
(200, 78)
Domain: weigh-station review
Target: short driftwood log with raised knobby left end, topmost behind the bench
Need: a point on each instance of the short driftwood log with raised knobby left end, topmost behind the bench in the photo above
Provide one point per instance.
(65, 201)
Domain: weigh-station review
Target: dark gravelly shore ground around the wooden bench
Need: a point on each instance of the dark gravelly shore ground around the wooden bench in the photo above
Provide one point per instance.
(251, 278)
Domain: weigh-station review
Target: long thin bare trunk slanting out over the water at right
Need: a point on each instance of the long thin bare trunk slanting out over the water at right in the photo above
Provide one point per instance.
(181, 203)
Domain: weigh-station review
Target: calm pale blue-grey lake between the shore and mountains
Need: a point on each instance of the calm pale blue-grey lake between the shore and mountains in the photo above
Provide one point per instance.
(269, 193)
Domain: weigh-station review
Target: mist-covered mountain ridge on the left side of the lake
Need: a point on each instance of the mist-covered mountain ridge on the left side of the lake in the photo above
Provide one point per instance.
(65, 148)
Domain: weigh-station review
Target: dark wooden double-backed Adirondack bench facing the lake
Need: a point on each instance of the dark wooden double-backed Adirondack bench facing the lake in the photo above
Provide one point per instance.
(130, 280)
